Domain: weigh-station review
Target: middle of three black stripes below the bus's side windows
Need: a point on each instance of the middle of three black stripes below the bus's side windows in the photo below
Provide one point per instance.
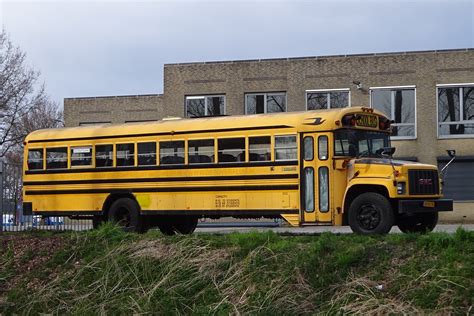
(170, 179)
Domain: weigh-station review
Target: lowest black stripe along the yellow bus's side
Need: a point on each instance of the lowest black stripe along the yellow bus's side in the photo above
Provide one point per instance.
(168, 189)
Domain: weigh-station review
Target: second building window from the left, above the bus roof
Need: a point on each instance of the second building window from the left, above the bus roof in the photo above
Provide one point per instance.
(257, 103)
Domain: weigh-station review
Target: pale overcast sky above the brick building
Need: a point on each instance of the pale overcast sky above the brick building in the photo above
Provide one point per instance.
(94, 48)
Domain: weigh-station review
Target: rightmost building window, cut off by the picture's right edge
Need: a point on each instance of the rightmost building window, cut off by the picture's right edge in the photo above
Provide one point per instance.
(455, 110)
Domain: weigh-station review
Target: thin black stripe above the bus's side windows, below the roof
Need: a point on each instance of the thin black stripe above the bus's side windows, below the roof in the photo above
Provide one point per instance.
(160, 134)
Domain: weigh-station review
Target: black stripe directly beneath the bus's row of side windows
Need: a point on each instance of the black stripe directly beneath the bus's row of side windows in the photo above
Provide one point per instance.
(168, 167)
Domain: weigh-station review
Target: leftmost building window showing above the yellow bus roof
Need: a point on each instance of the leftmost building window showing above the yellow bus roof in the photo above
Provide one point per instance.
(209, 105)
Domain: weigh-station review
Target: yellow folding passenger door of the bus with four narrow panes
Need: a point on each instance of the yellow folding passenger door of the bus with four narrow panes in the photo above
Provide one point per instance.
(315, 179)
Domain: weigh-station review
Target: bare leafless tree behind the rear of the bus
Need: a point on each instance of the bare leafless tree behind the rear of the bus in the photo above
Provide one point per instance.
(24, 107)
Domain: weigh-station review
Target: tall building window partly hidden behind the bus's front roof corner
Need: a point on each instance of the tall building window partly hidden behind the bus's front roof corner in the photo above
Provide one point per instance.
(398, 104)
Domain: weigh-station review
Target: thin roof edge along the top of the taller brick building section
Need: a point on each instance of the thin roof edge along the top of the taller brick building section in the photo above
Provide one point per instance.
(320, 57)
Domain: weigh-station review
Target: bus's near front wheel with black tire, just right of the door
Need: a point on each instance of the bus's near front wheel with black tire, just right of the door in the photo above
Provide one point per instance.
(371, 213)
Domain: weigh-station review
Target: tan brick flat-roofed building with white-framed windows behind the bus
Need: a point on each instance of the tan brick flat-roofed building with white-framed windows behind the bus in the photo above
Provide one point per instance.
(429, 94)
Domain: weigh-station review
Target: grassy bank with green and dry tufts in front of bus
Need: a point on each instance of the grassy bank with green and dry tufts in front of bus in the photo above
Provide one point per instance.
(107, 271)
